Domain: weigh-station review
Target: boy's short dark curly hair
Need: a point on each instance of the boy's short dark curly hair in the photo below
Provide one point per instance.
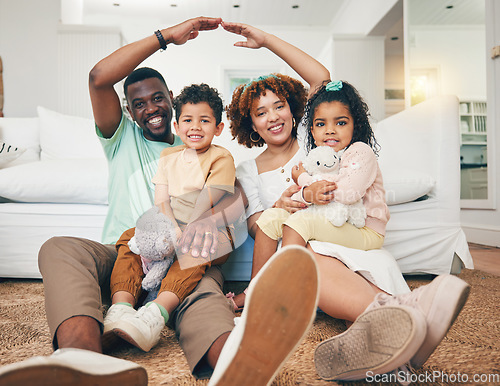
(198, 93)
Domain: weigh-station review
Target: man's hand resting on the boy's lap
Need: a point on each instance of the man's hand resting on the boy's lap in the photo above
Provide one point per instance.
(201, 237)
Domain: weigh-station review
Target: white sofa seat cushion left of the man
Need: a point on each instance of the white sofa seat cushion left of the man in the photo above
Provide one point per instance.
(81, 181)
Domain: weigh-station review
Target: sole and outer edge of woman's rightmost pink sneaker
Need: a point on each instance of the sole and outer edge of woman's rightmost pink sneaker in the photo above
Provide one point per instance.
(442, 315)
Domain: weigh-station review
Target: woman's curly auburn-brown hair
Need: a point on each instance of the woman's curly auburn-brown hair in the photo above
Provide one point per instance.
(238, 112)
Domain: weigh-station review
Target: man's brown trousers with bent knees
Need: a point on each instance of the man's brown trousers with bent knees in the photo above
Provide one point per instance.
(76, 276)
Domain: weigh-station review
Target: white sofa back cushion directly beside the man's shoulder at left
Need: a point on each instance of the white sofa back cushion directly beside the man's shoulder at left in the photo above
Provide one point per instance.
(65, 136)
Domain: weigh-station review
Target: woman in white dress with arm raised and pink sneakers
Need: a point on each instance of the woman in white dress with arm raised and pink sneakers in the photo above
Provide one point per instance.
(266, 111)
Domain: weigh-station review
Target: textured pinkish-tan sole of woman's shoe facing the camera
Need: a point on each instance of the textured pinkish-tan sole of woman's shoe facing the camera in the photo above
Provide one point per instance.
(379, 341)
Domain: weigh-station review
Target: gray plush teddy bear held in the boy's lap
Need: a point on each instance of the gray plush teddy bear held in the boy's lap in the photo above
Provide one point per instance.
(154, 241)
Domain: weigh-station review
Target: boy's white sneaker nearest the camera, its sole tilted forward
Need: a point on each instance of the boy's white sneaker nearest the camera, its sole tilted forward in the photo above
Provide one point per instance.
(142, 329)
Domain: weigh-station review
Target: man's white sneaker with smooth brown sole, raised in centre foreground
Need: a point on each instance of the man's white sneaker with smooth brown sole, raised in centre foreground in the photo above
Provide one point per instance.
(280, 307)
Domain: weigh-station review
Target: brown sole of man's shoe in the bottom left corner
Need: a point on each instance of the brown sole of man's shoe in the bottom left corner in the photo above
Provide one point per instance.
(57, 375)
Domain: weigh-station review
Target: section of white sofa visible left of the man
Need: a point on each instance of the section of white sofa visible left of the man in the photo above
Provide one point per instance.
(56, 187)
